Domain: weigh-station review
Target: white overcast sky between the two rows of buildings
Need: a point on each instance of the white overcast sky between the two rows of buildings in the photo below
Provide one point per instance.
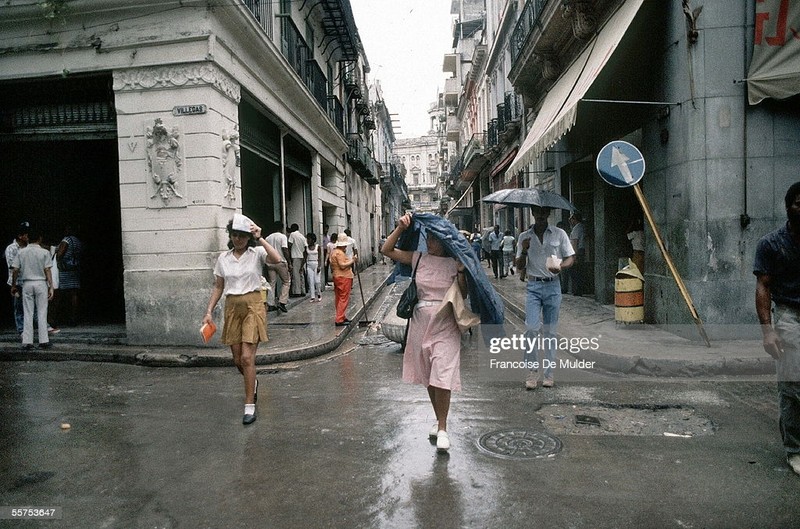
(405, 42)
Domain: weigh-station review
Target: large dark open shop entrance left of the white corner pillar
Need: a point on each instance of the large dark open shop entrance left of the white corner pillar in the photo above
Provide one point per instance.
(59, 167)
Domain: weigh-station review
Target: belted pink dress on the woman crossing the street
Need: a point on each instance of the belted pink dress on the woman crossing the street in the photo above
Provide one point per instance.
(432, 355)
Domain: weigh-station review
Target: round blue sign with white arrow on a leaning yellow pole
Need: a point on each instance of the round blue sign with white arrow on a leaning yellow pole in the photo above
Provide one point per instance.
(620, 164)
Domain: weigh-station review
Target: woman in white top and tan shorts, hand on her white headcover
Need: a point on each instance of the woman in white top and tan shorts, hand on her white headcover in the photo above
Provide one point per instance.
(237, 276)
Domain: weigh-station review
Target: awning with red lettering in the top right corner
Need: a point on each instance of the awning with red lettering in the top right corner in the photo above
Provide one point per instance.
(775, 66)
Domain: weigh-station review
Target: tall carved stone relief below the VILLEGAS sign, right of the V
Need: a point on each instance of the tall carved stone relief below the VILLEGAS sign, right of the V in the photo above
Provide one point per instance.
(165, 166)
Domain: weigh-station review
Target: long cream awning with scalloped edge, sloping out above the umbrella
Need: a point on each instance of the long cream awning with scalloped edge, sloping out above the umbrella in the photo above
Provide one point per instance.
(559, 110)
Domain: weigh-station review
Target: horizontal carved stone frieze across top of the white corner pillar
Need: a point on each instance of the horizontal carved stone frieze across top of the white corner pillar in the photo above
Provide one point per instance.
(177, 76)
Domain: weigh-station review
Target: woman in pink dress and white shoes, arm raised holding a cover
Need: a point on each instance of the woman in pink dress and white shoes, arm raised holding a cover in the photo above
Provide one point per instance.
(433, 348)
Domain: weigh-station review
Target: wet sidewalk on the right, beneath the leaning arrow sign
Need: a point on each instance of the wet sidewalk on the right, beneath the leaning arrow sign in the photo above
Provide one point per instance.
(643, 349)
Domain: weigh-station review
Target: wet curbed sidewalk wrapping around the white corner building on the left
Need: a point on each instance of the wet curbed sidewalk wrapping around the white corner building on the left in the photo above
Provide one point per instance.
(306, 331)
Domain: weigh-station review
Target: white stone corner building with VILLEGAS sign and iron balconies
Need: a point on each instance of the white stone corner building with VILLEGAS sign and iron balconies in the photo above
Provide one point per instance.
(149, 124)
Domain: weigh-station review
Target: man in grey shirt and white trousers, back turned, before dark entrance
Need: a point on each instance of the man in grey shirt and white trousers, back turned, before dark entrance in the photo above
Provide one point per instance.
(32, 266)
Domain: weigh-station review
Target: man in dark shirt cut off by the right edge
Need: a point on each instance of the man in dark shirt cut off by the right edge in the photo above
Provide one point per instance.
(777, 270)
